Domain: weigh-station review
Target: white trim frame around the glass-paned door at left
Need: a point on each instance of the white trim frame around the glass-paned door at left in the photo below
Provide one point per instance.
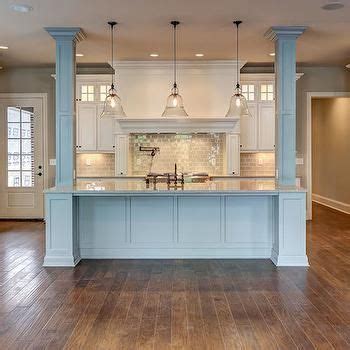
(44, 129)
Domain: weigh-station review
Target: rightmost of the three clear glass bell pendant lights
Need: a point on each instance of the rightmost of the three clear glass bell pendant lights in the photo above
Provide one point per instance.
(238, 104)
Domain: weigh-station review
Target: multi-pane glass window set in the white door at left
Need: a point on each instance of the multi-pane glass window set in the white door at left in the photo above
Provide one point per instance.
(20, 147)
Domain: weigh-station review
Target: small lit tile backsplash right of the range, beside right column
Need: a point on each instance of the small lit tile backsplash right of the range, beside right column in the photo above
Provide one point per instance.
(257, 164)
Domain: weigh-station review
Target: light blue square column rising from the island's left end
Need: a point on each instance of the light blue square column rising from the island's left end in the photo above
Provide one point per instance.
(66, 39)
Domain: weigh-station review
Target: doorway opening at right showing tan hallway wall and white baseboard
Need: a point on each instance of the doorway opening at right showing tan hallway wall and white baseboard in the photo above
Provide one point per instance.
(329, 151)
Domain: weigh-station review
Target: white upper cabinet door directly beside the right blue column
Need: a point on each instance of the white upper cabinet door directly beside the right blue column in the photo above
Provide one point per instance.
(266, 138)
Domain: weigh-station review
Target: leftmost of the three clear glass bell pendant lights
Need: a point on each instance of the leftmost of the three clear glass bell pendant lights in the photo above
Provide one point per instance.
(113, 105)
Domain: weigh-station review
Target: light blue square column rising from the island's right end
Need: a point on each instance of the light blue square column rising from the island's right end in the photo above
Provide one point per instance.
(285, 78)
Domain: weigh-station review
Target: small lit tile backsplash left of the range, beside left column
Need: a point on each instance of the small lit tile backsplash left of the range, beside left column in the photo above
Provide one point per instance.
(97, 164)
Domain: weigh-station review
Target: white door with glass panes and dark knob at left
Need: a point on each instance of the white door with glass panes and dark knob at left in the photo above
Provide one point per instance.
(21, 158)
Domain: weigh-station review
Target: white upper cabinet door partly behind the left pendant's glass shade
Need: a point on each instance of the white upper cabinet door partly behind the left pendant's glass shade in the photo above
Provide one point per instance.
(105, 132)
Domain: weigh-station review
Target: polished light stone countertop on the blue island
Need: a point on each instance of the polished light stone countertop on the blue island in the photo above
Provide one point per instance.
(137, 186)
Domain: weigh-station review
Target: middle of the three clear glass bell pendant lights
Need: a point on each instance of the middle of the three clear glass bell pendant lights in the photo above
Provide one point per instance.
(174, 106)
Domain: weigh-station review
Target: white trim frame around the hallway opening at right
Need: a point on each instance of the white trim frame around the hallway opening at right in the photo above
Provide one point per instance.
(309, 97)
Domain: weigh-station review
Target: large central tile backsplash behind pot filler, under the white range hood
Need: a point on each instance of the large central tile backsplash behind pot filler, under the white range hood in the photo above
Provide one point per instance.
(191, 152)
